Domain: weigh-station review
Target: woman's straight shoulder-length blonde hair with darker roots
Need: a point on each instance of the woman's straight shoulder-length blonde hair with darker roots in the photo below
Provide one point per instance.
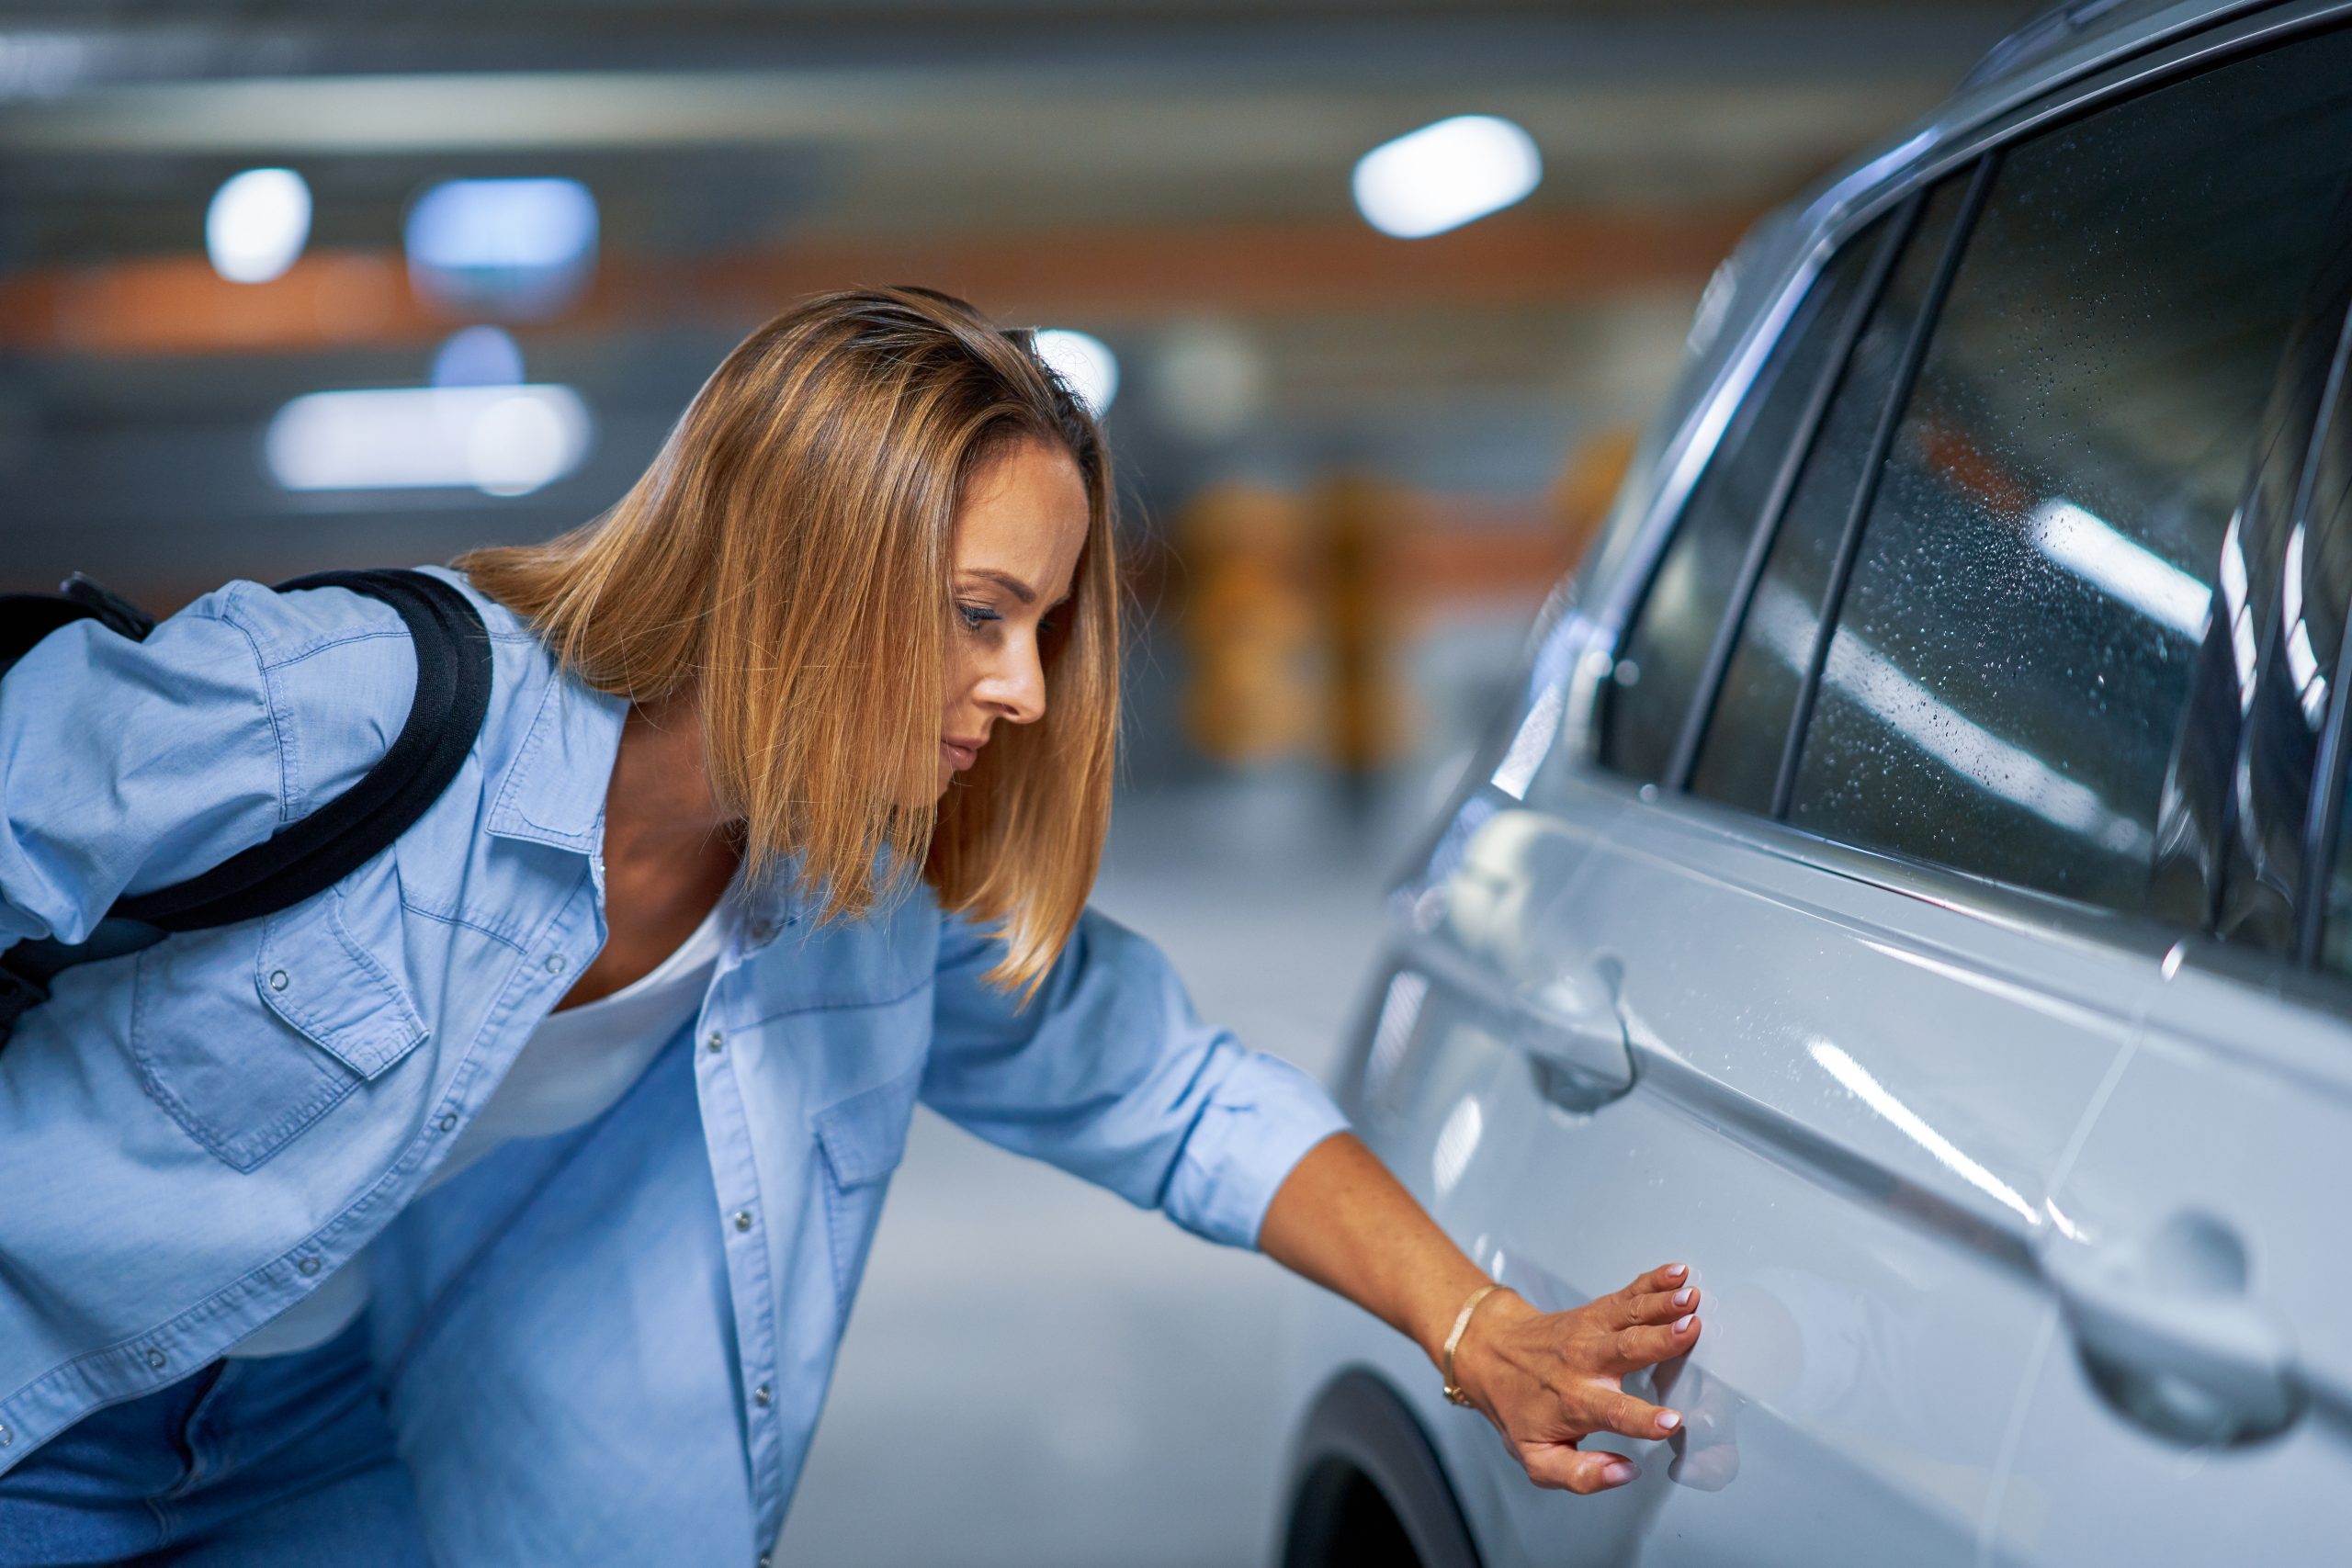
(789, 556)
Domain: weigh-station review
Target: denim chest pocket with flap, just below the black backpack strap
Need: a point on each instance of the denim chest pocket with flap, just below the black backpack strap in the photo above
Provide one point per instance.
(248, 1043)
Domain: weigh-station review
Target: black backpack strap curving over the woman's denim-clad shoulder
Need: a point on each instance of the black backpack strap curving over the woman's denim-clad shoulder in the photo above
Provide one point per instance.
(321, 850)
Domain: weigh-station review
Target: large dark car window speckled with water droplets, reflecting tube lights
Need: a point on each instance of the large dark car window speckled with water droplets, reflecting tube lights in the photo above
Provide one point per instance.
(2014, 652)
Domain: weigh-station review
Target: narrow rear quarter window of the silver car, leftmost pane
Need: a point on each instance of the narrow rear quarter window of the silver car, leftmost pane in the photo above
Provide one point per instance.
(1676, 626)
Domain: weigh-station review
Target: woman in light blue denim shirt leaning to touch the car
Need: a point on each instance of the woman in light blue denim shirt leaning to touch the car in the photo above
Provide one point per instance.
(507, 1202)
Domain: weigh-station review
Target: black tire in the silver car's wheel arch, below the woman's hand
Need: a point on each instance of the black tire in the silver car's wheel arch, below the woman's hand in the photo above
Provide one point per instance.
(1368, 1489)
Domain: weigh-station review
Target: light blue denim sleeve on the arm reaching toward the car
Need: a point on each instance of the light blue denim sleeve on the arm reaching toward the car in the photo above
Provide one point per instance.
(1109, 1076)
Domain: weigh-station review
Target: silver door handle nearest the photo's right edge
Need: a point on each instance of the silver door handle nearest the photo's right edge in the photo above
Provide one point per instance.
(2172, 1339)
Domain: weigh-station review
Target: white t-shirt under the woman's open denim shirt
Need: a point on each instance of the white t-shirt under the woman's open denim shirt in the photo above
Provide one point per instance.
(573, 1071)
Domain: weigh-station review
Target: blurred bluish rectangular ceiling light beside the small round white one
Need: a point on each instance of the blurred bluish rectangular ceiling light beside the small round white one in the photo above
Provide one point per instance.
(516, 246)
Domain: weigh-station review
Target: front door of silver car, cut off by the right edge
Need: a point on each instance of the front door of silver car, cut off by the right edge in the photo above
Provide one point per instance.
(2193, 1398)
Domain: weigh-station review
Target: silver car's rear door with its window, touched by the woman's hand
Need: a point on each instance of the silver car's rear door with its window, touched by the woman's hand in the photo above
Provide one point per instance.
(1873, 998)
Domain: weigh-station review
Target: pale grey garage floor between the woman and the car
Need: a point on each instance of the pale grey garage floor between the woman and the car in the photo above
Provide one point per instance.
(1038, 1374)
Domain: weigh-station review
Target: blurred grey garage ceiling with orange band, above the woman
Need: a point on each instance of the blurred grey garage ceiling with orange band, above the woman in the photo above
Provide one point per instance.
(1156, 170)
